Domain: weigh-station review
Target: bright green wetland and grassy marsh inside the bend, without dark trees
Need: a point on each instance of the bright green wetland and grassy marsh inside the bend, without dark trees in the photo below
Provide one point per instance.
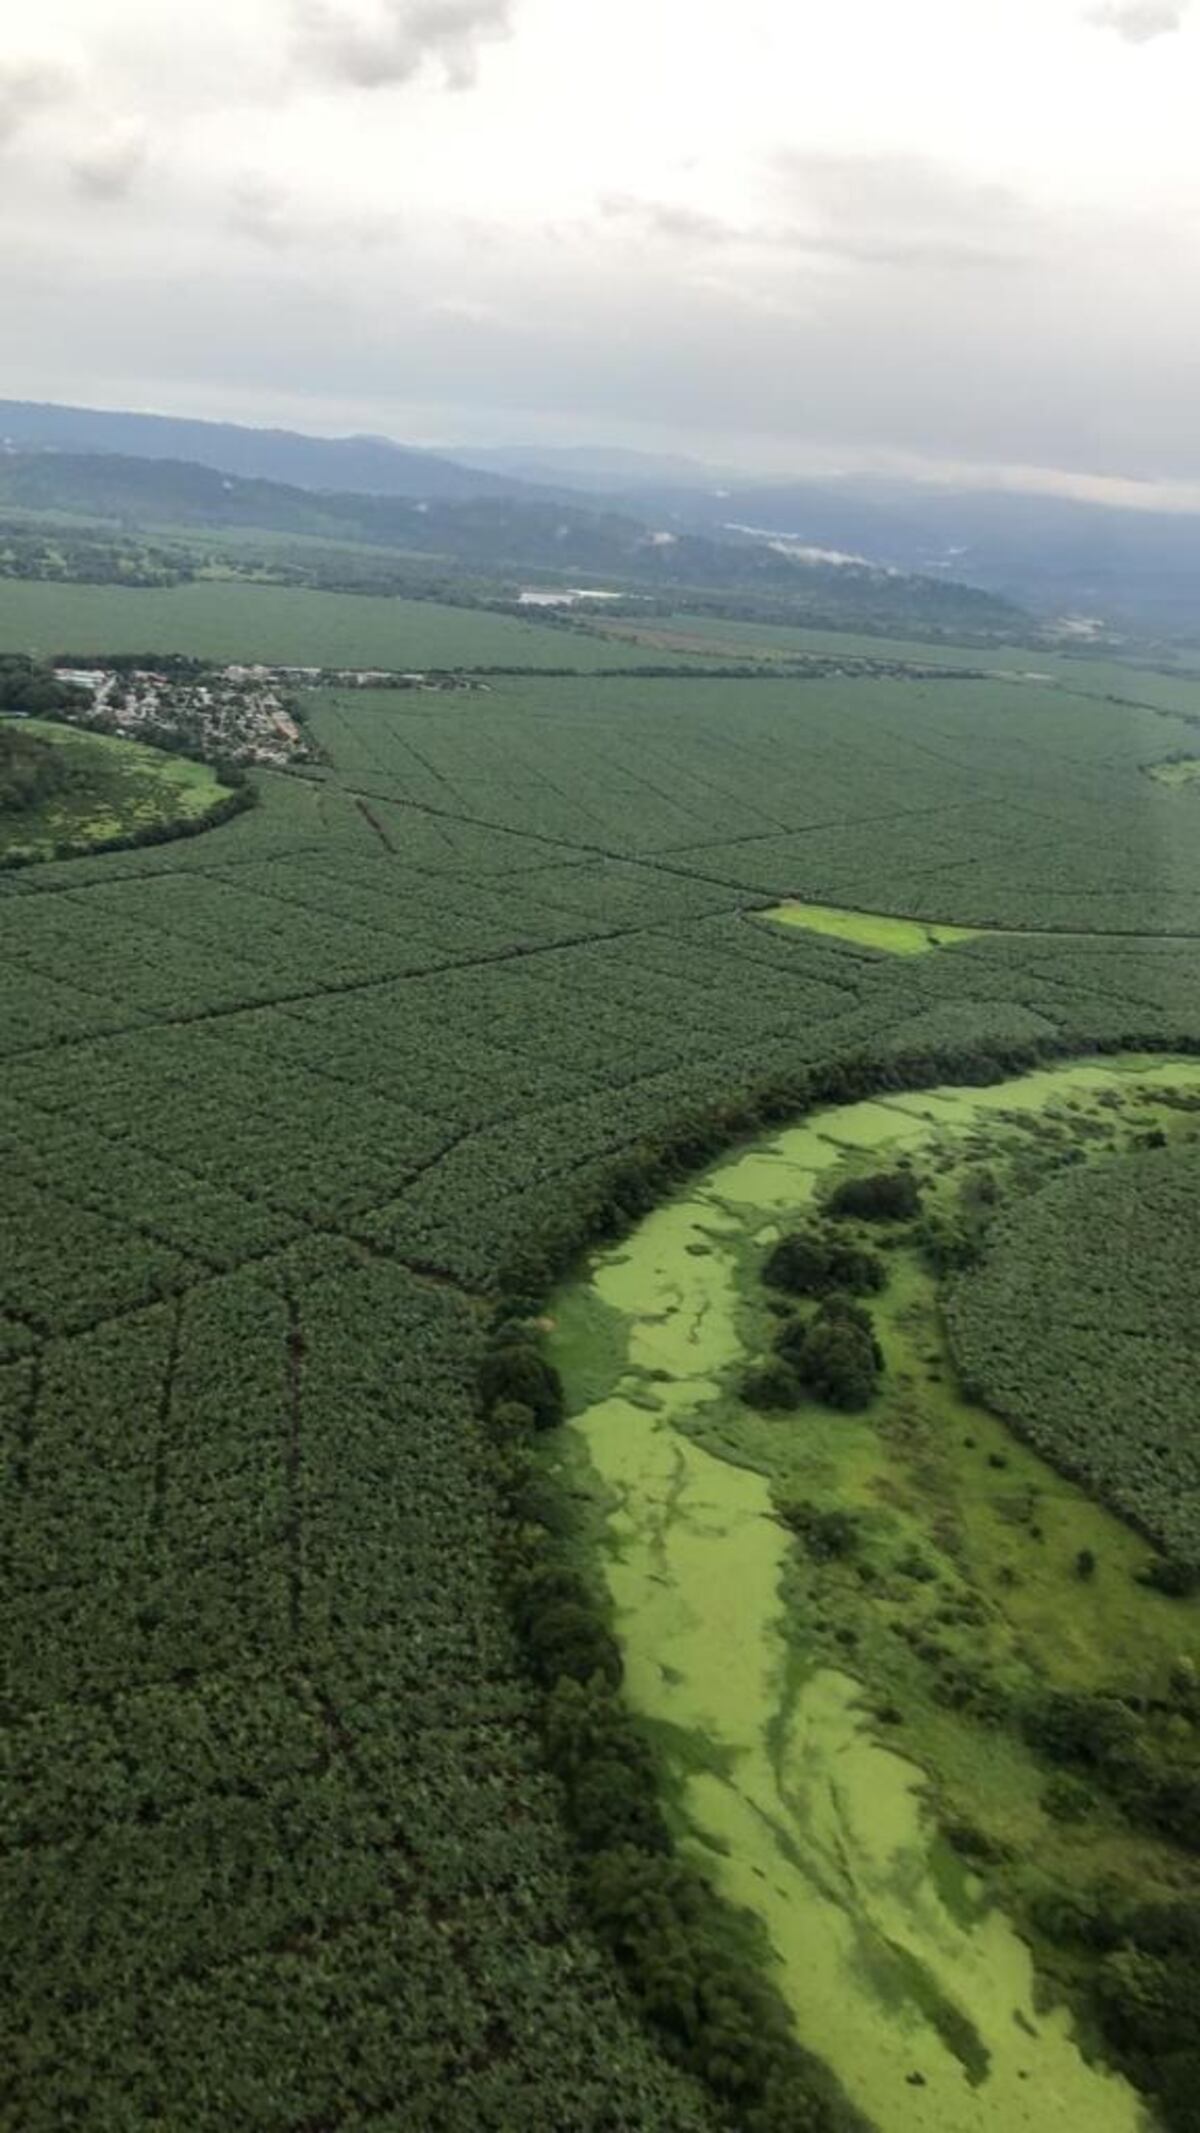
(815, 1748)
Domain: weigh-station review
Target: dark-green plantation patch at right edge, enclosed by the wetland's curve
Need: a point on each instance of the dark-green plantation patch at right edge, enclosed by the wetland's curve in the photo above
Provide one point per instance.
(1080, 1326)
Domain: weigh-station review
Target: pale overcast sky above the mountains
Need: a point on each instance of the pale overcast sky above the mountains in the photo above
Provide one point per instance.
(928, 236)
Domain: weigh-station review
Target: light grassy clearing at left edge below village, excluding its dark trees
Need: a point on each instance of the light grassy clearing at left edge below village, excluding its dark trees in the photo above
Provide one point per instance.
(114, 790)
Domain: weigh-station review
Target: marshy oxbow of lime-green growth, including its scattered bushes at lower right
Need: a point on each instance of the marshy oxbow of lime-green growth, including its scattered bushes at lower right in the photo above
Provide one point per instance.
(939, 1565)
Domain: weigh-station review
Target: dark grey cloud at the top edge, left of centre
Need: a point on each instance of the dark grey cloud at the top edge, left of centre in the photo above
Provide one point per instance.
(376, 44)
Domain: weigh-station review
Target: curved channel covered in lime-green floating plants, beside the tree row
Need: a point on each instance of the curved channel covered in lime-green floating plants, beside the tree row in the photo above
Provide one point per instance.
(898, 1961)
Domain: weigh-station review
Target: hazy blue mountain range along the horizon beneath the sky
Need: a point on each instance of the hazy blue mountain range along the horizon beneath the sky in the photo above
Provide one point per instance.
(1135, 571)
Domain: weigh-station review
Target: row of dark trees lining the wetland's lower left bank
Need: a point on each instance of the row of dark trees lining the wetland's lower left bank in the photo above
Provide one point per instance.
(681, 1953)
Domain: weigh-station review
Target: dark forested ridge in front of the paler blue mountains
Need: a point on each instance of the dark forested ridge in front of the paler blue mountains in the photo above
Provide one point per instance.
(498, 534)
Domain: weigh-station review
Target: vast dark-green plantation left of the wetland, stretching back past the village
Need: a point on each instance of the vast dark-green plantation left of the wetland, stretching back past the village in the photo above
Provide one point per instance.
(282, 1110)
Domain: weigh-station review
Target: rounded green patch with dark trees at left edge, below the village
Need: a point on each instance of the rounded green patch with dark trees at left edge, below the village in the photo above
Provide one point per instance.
(88, 792)
